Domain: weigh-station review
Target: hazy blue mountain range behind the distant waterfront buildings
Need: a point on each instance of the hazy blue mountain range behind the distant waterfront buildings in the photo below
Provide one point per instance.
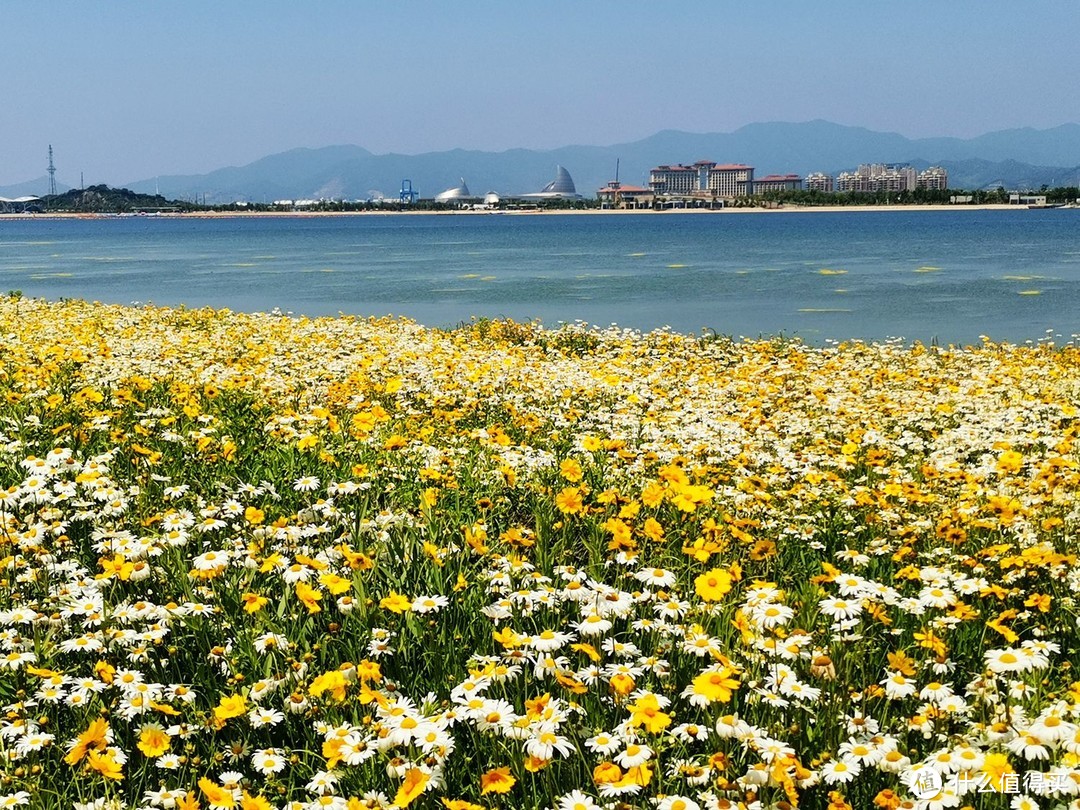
(1023, 158)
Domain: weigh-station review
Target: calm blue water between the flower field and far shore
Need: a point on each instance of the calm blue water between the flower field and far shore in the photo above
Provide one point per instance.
(946, 276)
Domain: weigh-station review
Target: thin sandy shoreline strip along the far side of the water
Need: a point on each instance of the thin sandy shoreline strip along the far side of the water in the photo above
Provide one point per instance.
(591, 212)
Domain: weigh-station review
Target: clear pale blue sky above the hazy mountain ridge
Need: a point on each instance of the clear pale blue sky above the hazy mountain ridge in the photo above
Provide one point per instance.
(126, 91)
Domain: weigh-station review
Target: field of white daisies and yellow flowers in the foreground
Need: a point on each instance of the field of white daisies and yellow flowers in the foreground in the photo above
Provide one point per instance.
(261, 562)
